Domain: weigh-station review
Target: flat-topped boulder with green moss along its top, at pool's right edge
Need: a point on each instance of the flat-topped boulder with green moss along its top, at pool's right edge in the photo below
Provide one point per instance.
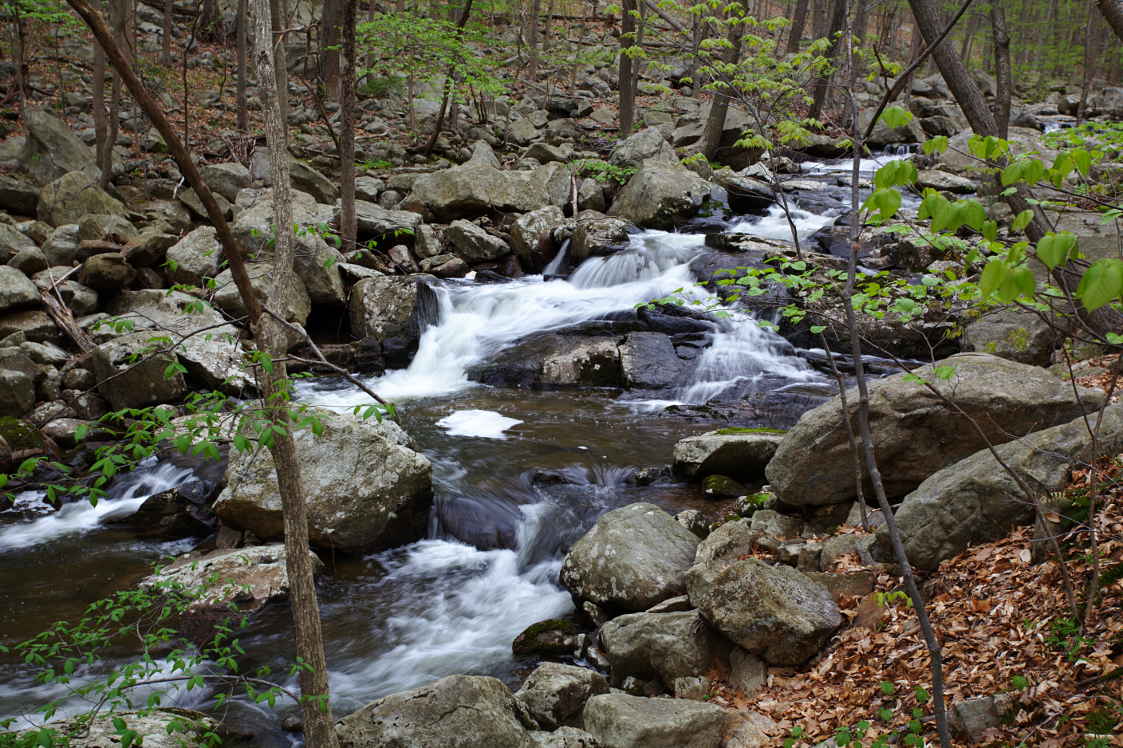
(738, 453)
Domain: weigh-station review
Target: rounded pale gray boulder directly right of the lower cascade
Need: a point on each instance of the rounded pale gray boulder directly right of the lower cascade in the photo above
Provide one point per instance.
(633, 559)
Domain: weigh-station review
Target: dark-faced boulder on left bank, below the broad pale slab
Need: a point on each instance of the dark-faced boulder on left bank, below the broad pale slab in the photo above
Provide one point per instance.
(131, 376)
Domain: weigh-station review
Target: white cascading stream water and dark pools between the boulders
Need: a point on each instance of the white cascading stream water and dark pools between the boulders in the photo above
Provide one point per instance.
(519, 476)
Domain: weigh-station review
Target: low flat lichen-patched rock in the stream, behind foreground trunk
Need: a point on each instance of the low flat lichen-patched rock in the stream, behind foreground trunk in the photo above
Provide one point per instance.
(246, 578)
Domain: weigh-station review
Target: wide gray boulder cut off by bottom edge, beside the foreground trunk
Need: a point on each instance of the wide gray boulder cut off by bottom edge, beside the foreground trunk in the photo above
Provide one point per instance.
(460, 711)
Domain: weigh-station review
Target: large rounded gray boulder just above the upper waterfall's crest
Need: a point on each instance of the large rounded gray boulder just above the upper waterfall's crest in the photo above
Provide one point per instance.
(661, 196)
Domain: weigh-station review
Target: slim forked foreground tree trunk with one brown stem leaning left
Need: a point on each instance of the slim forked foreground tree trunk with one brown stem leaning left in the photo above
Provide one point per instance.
(318, 724)
